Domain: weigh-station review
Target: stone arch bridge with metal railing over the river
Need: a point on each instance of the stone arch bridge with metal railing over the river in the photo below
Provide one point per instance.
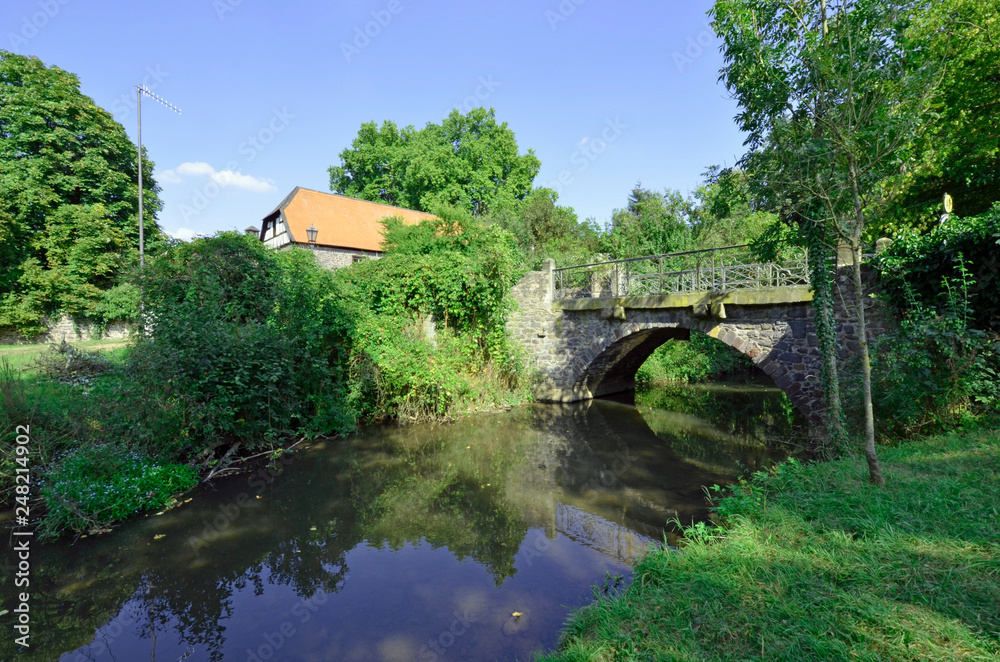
(588, 329)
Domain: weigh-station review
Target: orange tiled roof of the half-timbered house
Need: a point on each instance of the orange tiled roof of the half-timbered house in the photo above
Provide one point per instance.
(341, 221)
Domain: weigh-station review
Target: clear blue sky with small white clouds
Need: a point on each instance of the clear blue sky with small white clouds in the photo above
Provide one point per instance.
(607, 94)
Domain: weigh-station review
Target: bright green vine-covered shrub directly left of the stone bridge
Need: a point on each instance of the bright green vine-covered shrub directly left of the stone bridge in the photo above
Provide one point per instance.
(453, 273)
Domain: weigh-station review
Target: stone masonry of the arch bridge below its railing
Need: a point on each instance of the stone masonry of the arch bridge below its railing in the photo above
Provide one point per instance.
(589, 347)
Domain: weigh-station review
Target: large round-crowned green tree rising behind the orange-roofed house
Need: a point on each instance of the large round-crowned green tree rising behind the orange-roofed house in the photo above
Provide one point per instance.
(468, 161)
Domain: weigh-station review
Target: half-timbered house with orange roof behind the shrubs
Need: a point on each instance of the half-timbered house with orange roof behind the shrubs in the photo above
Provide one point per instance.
(338, 229)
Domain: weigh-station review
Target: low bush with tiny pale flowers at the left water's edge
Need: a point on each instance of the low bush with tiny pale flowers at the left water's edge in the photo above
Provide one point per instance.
(97, 485)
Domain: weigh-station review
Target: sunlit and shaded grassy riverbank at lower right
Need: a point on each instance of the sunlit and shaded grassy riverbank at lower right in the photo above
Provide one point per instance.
(814, 563)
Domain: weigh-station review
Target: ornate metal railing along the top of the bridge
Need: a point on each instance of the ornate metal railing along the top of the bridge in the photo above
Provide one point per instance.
(708, 270)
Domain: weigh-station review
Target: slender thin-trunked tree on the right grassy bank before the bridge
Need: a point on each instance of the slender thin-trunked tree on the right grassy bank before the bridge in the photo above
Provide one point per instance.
(830, 98)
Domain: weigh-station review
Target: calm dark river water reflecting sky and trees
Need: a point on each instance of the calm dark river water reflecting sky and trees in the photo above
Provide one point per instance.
(415, 543)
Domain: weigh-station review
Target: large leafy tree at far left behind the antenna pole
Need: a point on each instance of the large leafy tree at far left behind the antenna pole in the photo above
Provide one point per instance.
(68, 196)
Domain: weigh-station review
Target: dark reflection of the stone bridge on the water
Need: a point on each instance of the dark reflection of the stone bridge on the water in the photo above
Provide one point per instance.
(598, 474)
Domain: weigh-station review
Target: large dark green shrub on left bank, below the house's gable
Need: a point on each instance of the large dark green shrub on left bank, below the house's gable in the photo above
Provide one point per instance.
(239, 344)
